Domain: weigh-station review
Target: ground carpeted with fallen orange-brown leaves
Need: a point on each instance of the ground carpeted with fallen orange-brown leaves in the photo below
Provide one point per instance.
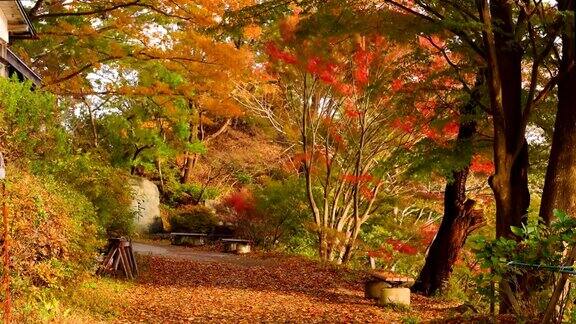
(268, 288)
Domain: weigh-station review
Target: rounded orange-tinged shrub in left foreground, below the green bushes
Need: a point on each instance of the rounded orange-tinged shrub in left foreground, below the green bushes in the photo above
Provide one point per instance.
(53, 229)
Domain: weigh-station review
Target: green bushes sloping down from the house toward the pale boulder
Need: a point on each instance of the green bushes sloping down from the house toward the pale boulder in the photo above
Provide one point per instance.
(33, 124)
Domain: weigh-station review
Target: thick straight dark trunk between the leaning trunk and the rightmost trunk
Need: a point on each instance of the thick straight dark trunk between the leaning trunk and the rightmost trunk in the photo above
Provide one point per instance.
(510, 181)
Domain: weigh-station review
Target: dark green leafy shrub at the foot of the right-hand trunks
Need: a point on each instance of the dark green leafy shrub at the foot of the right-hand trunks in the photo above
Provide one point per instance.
(528, 259)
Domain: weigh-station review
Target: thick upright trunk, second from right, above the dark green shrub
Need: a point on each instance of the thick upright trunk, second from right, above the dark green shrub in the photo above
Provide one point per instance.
(510, 183)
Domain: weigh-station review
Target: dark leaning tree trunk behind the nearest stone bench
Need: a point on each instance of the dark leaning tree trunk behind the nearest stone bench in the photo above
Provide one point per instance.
(459, 219)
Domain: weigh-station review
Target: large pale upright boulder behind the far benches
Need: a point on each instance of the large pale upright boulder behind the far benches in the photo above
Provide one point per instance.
(145, 203)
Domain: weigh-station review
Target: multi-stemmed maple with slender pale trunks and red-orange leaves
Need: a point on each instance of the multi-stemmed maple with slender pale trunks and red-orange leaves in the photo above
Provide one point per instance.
(341, 107)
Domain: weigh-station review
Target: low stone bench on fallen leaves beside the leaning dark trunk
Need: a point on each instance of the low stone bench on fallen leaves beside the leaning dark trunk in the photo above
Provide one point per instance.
(388, 288)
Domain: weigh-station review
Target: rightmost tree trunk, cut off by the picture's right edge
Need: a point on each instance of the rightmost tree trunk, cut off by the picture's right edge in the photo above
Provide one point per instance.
(559, 189)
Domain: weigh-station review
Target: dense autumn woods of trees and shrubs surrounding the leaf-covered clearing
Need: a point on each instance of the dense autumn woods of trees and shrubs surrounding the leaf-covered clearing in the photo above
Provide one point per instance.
(434, 138)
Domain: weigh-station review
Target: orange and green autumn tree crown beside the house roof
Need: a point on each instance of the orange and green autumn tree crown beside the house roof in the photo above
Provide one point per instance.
(161, 54)
